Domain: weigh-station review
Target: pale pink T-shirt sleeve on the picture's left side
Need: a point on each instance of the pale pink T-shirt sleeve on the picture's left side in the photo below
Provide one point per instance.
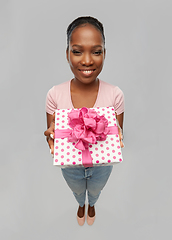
(51, 104)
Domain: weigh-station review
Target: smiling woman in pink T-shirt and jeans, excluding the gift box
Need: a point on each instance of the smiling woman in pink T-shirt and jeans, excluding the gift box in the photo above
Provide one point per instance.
(85, 54)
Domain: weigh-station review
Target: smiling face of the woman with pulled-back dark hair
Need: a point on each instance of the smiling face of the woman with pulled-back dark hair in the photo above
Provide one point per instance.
(86, 53)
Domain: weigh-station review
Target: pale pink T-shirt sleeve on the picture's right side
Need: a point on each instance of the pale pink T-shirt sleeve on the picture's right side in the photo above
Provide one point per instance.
(119, 101)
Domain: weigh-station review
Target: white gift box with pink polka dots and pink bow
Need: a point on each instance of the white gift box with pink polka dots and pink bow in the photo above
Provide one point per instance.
(86, 137)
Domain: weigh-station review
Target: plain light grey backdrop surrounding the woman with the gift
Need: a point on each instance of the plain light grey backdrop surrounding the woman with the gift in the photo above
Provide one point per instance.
(35, 202)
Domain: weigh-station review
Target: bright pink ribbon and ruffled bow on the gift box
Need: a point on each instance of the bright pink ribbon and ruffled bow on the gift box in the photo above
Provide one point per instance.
(87, 127)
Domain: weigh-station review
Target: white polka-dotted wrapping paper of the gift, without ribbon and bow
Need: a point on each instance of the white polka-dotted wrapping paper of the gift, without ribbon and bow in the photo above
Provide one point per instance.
(103, 152)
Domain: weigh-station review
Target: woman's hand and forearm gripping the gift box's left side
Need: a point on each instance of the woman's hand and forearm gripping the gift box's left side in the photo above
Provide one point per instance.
(49, 133)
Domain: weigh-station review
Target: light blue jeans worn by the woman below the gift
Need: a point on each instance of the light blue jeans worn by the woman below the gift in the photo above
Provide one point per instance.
(92, 179)
